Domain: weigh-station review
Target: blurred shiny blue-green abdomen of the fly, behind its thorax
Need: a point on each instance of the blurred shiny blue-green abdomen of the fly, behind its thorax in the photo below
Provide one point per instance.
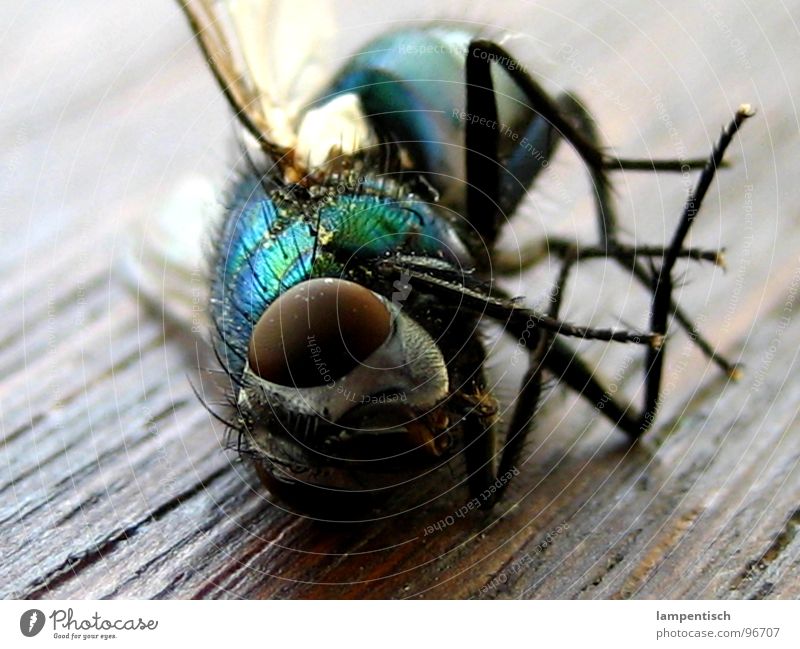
(411, 86)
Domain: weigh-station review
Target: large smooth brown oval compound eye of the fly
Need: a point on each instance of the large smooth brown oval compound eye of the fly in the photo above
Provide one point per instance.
(317, 332)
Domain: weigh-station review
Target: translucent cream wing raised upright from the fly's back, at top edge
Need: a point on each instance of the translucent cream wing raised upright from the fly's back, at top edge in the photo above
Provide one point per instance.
(271, 58)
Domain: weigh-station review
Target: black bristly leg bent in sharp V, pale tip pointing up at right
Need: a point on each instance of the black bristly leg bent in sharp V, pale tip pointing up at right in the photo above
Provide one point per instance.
(575, 373)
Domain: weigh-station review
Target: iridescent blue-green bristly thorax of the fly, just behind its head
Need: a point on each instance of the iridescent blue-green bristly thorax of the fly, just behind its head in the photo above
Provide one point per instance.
(272, 241)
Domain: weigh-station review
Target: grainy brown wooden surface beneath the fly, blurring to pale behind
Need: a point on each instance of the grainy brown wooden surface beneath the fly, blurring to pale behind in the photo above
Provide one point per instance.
(114, 482)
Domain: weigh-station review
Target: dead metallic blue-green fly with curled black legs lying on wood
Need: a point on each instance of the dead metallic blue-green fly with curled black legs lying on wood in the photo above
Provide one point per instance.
(357, 261)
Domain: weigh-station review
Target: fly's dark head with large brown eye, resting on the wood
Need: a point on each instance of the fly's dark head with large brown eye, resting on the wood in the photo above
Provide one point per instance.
(354, 383)
